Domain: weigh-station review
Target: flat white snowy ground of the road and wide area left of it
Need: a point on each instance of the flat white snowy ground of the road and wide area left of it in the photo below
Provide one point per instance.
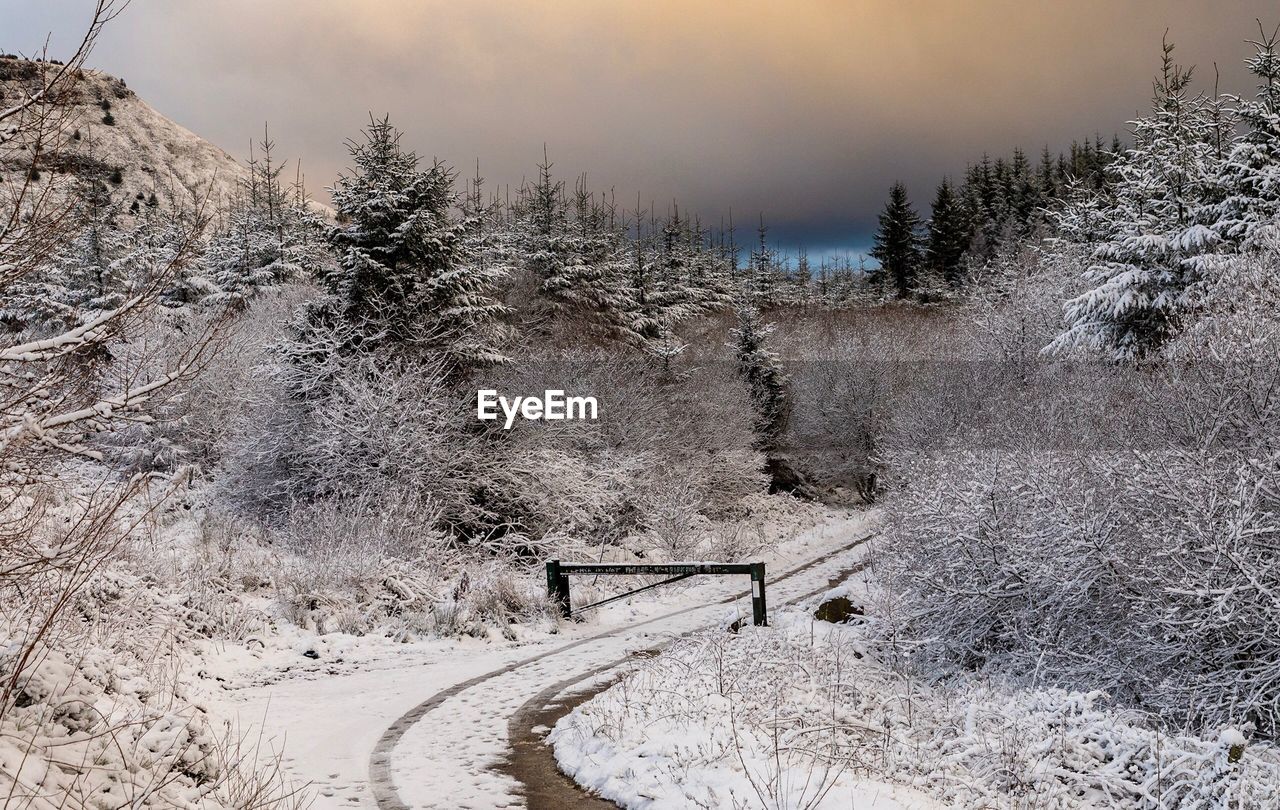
(327, 702)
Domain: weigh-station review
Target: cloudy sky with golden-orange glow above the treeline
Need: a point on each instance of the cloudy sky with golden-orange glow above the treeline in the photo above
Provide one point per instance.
(804, 111)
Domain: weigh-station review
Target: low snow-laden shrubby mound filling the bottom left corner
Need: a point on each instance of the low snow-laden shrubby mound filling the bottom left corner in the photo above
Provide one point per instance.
(106, 727)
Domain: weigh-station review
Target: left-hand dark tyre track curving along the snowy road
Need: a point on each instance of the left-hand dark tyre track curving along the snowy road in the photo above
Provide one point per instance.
(382, 782)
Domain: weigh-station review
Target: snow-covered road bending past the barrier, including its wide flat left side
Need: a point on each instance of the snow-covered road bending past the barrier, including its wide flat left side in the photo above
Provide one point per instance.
(429, 727)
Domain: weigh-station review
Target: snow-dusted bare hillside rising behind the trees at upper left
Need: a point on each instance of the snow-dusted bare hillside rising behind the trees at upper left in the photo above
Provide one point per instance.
(121, 140)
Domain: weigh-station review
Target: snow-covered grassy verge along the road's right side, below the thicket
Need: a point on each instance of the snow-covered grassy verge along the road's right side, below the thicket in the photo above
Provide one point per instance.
(804, 715)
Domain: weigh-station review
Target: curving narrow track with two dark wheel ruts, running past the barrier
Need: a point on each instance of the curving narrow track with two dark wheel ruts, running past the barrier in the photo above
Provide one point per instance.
(423, 761)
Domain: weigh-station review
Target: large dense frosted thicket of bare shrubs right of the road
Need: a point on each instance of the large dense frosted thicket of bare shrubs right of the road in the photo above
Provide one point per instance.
(1118, 532)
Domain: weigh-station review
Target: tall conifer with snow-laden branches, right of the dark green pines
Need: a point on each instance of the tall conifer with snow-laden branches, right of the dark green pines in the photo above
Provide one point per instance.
(1150, 236)
